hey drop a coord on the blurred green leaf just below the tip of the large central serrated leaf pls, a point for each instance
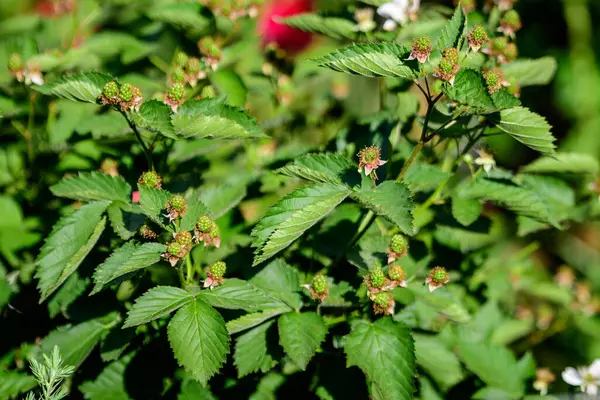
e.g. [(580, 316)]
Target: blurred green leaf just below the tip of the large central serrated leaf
[(280, 281)]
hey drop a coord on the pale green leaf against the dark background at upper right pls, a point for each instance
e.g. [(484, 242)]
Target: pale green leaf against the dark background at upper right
[(529, 72)]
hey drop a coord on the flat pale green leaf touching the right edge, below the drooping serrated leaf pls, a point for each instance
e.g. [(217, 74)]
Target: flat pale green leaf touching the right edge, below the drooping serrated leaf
[(577, 163)]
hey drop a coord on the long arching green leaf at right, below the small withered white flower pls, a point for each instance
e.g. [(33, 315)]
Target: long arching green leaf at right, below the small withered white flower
[(518, 199)]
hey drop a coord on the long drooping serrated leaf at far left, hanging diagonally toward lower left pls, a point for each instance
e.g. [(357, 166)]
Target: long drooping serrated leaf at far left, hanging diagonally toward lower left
[(70, 241)]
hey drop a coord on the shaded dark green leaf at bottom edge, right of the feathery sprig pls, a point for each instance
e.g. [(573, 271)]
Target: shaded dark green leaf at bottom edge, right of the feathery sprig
[(110, 383)]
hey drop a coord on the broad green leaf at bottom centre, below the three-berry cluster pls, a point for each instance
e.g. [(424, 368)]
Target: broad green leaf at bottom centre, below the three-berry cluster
[(384, 351)]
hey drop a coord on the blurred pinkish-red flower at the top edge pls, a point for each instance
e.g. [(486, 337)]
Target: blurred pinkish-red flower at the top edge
[(284, 37)]
